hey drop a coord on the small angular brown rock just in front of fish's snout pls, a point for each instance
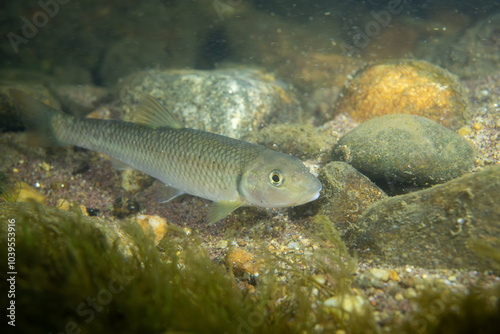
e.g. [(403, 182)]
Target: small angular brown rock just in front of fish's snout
[(346, 194)]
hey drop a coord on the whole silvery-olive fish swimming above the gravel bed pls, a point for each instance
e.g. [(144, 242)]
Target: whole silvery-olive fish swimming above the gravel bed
[(229, 172)]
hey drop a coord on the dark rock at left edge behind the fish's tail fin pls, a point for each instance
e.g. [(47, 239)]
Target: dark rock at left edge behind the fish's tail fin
[(9, 121)]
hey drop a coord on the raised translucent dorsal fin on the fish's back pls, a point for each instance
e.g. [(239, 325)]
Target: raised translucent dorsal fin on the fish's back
[(154, 115)]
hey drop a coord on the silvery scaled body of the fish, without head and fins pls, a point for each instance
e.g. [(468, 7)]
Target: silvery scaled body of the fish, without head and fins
[(187, 159)]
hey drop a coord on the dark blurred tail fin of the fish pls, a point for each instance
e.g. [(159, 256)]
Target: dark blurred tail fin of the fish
[(37, 117)]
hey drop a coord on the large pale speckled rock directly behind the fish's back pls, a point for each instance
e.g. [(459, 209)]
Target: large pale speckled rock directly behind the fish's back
[(229, 102)]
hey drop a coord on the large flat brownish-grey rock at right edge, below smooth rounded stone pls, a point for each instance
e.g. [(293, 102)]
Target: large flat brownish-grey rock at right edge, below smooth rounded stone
[(434, 228)]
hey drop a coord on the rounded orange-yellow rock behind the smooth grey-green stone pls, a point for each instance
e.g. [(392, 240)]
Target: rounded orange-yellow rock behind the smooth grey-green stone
[(405, 87)]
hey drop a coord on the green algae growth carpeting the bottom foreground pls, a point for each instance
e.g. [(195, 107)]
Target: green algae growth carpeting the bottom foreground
[(67, 262)]
